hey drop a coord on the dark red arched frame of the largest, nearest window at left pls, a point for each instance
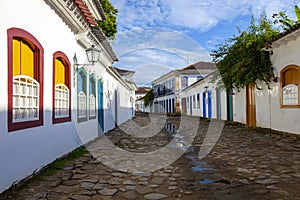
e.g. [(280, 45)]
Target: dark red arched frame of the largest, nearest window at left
[(38, 74)]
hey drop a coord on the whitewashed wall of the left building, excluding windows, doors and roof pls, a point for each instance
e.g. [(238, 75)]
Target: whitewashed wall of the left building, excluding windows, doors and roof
[(24, 151)]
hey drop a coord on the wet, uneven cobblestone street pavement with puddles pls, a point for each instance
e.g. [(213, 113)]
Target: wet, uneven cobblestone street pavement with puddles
[(245, 163)]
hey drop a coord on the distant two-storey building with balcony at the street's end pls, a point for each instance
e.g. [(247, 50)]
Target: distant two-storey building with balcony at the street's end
[(168, 87)]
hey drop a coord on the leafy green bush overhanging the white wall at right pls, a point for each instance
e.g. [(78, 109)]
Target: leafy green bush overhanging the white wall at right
[(241, 60)]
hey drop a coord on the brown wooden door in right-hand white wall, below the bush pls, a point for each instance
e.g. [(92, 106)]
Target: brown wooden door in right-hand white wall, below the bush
[(250, 105)]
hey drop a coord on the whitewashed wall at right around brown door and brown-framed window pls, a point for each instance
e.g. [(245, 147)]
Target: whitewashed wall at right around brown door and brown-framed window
[(268, 111)]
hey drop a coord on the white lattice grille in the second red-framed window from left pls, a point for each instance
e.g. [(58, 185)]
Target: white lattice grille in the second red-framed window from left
[(61, 101)]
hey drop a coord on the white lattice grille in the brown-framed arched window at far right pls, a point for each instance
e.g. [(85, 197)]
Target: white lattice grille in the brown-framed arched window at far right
[(290, 95)]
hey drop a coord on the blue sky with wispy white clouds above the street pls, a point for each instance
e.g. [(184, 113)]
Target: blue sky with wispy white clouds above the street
[(156, 36)]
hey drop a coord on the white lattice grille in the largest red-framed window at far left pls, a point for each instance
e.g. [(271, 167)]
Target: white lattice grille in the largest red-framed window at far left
[(25, 98)]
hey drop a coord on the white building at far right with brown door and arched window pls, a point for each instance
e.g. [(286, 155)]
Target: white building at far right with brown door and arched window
[(276, 105)]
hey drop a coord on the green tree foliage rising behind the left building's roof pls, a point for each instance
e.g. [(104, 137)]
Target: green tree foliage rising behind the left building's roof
[(109, 26)]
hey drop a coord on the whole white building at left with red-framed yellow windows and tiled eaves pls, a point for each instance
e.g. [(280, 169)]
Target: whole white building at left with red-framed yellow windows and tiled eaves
[(53, 99)]
